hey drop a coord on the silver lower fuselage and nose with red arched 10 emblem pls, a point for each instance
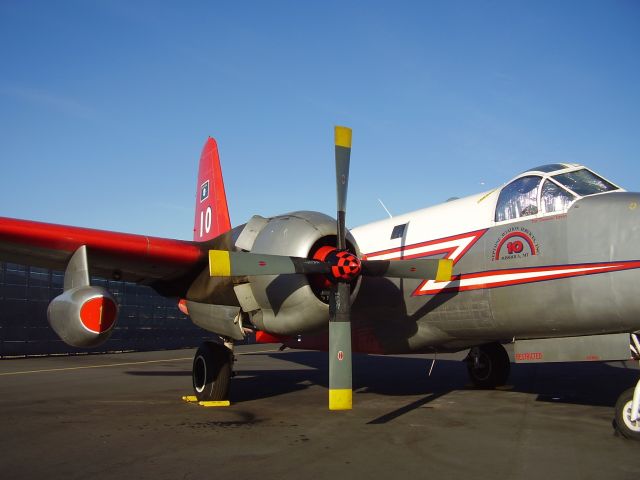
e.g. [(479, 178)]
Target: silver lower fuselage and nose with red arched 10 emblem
[(579, 279)]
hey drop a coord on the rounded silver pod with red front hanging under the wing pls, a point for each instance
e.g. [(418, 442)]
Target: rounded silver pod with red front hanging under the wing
[(83, 316)]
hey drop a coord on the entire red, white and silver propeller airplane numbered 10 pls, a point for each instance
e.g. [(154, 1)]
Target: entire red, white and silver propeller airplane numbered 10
[(548, 262)]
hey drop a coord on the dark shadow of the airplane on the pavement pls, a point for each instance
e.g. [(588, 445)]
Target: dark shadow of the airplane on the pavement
[(595, 384)]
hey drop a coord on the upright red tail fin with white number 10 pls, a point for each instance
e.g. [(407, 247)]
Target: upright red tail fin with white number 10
[(212, 213)]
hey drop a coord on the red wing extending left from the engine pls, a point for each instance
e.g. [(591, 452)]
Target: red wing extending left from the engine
[(112, 255)]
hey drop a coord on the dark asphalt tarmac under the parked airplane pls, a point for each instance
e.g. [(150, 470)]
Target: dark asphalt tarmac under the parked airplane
[(121, 416)]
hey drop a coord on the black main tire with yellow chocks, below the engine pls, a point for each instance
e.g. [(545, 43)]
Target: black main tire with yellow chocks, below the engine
[(211, 372)]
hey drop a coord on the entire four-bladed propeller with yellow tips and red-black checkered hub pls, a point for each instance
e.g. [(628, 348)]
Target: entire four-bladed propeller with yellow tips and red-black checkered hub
[(341, 267)]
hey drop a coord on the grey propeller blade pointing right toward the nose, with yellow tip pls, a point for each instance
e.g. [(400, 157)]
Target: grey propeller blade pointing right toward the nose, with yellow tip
[(421, 269)]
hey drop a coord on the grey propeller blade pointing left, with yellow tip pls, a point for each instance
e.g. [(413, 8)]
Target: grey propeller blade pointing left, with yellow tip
[(223, 263)]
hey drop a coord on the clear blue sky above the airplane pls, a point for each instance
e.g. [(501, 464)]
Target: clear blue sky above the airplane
[(105, 105)]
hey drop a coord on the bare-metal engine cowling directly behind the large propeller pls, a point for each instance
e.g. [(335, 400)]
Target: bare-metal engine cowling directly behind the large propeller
[(289, 304)]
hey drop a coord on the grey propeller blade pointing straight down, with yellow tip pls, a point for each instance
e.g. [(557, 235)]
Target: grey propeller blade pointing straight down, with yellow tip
[(340, 390)]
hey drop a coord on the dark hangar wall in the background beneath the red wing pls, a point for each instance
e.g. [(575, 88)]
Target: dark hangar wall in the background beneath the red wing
[(146, 321)]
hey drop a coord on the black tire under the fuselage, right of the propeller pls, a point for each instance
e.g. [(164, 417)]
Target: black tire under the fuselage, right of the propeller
[(493, 366)]
